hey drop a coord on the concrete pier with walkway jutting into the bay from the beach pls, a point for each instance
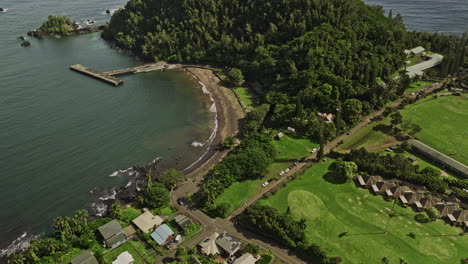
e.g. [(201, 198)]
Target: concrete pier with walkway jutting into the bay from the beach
[(109, 76)]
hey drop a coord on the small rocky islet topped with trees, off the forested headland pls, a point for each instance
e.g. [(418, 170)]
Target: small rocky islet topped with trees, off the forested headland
[(61, 26)]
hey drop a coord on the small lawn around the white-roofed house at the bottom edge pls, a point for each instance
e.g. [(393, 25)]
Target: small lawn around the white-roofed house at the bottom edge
[(136, 249)]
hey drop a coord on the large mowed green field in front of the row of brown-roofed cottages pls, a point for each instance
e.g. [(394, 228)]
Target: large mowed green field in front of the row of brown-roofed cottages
[(331, 209)]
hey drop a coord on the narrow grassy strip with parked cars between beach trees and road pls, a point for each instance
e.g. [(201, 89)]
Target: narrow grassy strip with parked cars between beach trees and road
[(288, 150)]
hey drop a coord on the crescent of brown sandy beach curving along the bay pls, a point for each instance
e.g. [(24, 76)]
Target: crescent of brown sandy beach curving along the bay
[(229, 112)]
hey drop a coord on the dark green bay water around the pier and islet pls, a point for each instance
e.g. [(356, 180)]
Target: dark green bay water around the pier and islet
[(63, 134)]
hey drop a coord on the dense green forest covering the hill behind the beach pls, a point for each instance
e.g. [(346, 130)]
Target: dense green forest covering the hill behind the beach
[(324, 55)]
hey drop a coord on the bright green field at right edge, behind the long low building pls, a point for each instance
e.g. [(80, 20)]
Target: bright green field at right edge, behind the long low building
[(443, 122)]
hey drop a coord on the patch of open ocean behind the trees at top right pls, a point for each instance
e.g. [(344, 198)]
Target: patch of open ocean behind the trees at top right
[(444, 16)]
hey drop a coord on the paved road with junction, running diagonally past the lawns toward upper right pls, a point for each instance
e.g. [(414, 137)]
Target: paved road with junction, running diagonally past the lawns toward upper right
[(211, 225)]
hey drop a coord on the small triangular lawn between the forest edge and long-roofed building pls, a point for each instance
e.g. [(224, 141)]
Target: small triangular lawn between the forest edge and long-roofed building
[(367, 137)]
